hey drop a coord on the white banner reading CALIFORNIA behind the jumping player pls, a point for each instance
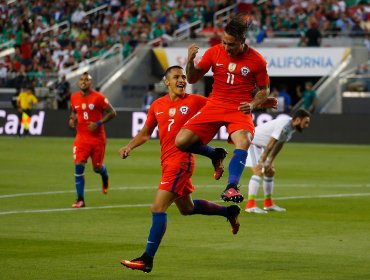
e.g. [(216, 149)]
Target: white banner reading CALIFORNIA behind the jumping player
[(283, 62)]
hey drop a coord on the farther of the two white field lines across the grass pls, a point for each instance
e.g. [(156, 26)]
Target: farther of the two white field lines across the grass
[(198, 187)]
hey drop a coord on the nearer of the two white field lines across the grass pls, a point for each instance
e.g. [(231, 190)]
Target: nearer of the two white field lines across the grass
[(147, 205)]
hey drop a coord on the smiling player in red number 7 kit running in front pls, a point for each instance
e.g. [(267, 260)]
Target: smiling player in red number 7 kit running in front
[(169, 113)]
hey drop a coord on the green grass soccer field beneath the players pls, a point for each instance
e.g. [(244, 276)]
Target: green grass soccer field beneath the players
[(323, 235)]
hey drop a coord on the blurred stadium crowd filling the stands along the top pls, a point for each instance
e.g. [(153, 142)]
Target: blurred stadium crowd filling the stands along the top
[(95, 26)]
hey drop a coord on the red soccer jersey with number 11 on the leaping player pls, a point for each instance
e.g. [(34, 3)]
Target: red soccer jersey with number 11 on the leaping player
[(235, 78)]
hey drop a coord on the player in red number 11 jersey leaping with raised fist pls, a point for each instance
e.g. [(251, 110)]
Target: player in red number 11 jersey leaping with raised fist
[(238, 70)]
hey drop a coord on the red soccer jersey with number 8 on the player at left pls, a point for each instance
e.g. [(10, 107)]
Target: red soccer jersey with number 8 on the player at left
[(89, 108)]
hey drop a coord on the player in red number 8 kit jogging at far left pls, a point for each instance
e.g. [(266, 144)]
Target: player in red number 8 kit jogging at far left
[(90, 109)]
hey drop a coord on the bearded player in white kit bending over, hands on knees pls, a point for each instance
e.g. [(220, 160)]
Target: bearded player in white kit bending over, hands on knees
[(268, 140)]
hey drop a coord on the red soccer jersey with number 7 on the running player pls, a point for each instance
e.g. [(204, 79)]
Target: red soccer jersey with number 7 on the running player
[(170, 116)]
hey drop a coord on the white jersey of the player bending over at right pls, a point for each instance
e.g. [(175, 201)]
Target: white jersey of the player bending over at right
[(281, 129)]
